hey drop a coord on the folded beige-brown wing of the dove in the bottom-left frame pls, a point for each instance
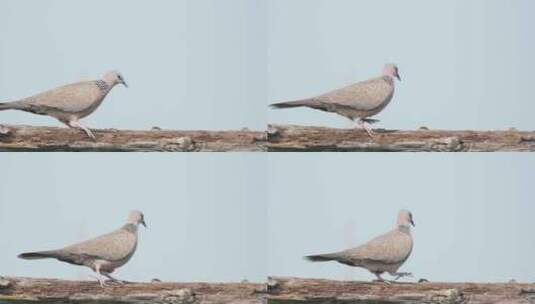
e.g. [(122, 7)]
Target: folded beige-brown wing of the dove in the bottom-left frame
[(114, 246)]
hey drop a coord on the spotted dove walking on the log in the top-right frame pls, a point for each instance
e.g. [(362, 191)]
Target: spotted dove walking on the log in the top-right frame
[(356, 102)]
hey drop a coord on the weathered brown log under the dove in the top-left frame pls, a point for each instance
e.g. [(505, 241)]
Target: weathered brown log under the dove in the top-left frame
[(26, 138)]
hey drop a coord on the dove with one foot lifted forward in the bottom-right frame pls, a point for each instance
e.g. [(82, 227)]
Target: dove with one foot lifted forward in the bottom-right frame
[(386, 253)]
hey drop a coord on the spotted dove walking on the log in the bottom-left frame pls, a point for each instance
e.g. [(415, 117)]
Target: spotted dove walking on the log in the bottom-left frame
[(102, 254)]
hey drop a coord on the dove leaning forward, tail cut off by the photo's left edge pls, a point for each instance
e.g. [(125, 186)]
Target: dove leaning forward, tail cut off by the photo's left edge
[(70, 103)]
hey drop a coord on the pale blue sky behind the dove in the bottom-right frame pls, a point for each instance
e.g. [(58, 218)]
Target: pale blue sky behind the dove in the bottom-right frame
[(473, 213)]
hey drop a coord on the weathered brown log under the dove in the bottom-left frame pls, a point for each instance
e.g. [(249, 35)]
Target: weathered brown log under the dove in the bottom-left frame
[(21, 290)]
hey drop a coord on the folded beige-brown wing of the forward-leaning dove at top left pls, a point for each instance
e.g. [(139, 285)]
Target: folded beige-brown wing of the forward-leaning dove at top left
[(71, 98)]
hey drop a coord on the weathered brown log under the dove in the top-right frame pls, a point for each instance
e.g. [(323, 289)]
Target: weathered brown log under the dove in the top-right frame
[(315, 139)]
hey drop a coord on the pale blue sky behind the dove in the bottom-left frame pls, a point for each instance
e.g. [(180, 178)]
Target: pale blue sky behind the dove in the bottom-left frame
[(206, 214)]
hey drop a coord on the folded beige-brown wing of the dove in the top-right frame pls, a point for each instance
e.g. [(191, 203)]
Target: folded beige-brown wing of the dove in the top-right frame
[(363, 96)]
